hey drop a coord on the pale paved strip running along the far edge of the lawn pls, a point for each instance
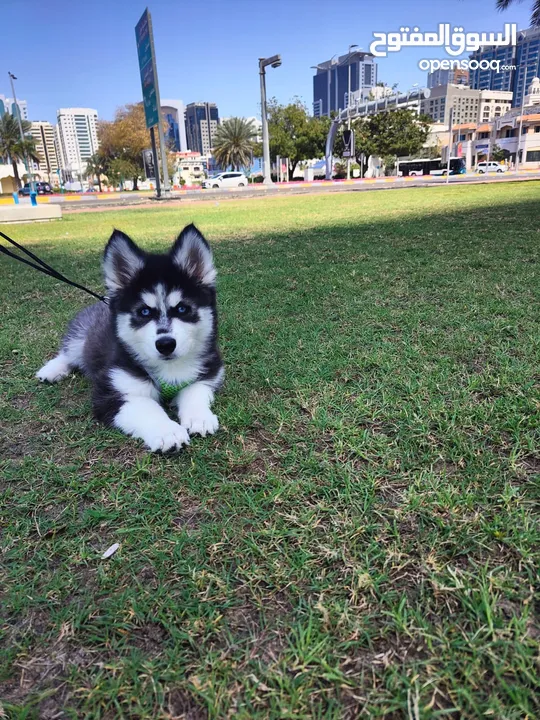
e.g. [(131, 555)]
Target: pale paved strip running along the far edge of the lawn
[(258, 190)]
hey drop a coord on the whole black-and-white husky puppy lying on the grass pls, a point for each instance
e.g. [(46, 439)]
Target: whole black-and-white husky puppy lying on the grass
[(160, 326)]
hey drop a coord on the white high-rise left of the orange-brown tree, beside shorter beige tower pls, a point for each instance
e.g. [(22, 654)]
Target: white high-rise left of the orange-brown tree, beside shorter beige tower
[(76, 138)]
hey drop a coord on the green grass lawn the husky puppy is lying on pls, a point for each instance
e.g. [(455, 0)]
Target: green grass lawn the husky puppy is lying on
[(361, 536)]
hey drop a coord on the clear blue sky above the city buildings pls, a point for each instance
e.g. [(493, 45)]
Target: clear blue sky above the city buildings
[(83, 54)]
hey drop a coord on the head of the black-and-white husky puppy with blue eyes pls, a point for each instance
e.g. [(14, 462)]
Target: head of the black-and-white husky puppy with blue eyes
[(164, 304)]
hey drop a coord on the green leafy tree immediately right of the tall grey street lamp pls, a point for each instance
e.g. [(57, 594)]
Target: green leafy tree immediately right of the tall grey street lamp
[(294, 134)]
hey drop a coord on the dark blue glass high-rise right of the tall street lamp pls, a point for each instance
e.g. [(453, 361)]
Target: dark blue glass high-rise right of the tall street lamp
[(331, 81)]
